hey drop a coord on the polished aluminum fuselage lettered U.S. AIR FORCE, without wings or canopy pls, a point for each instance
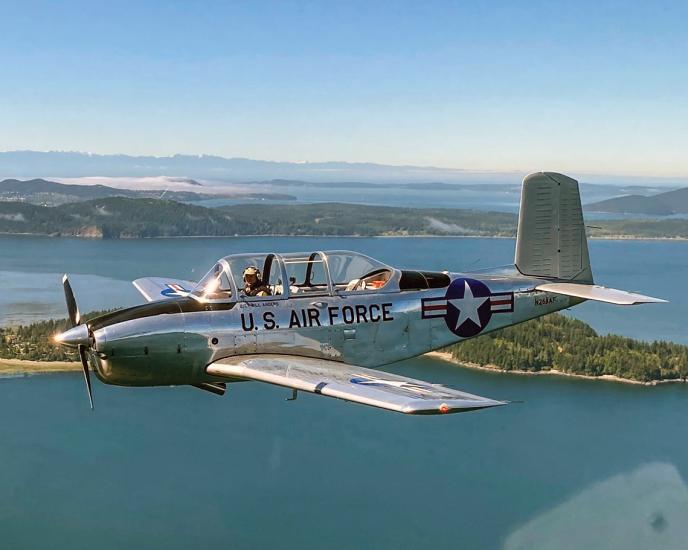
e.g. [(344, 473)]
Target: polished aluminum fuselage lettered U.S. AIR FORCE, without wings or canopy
[(171, 342)]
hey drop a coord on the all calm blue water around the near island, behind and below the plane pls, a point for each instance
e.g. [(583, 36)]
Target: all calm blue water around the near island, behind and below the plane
[(579, 464)]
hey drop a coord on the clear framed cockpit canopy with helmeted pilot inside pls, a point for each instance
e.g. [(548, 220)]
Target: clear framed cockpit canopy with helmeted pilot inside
[(249, 277)]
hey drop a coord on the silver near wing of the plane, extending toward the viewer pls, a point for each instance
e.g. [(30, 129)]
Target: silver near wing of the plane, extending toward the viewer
[(350, 383)]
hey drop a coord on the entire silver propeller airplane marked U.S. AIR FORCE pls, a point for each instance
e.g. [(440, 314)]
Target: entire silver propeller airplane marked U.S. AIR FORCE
[(324, 321)]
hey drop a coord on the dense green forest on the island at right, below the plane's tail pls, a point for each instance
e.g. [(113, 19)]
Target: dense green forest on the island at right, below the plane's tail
[(571, 346)]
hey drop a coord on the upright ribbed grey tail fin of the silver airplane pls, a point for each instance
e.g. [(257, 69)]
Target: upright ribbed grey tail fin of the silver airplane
[(551, 240)]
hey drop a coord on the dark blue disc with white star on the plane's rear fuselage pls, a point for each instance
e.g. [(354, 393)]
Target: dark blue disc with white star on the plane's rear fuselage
[(468, 307)]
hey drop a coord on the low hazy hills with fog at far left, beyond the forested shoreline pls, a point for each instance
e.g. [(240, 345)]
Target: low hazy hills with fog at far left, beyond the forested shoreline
[(52, 193)]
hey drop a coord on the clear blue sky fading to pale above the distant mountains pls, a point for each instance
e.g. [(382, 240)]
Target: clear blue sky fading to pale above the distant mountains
[(589, 87)]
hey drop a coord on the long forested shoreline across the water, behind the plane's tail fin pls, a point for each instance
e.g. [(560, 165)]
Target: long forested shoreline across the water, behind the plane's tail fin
[(126, 217)]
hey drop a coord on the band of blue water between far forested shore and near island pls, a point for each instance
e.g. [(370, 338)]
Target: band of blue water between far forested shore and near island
[(102, 271)]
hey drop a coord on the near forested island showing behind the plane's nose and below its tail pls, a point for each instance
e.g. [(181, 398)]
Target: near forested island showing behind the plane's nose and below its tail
[(554, 343)]
